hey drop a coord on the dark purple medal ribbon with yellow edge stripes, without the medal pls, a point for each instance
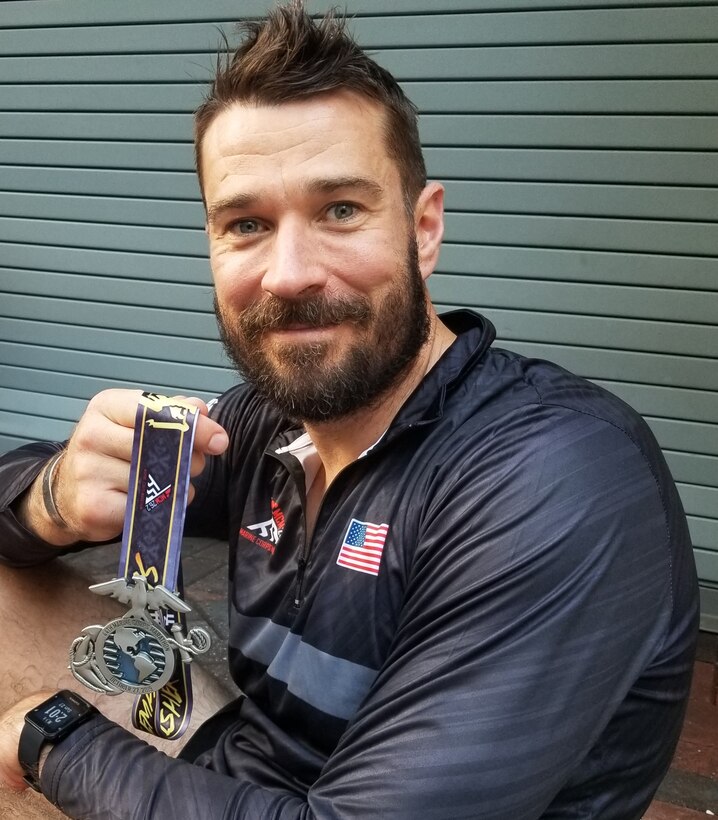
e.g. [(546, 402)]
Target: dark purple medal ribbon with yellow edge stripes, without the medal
[(152, 539)]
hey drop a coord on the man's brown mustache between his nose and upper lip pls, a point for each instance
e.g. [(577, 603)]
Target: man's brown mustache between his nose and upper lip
[(277, 313)]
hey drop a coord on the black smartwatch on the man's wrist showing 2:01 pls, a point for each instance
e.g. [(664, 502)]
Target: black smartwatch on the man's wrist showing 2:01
[(48, 724)]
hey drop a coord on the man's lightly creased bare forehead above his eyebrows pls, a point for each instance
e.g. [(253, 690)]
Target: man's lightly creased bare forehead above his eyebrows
[(341, 134)]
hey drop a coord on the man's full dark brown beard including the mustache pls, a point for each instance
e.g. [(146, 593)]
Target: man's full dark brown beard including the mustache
[(307, 382)]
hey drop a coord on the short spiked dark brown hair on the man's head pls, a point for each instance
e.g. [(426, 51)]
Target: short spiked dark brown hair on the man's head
[(287, 56)]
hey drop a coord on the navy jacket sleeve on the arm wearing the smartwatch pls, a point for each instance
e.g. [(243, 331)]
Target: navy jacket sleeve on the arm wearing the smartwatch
[(539, 592)]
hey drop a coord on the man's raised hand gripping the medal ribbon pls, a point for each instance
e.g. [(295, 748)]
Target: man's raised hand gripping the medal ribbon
[(91, 480)]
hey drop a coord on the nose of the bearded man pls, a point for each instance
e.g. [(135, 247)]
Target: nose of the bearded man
[(295, 266)]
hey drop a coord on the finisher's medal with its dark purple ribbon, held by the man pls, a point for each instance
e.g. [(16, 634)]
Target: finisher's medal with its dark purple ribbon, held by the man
[(147, 651)]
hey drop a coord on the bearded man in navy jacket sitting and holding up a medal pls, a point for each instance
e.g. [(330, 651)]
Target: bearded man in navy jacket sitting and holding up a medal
[(521, 643)]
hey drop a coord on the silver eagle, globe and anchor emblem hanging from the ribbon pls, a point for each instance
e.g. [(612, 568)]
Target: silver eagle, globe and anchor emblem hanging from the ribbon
[(134, 653)]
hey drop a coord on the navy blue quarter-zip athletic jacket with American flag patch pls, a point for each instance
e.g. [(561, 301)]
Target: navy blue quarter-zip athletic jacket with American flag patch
[(494, 617)]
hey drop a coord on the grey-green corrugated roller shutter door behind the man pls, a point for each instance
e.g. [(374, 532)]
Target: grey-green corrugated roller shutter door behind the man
[(579, 147)]
